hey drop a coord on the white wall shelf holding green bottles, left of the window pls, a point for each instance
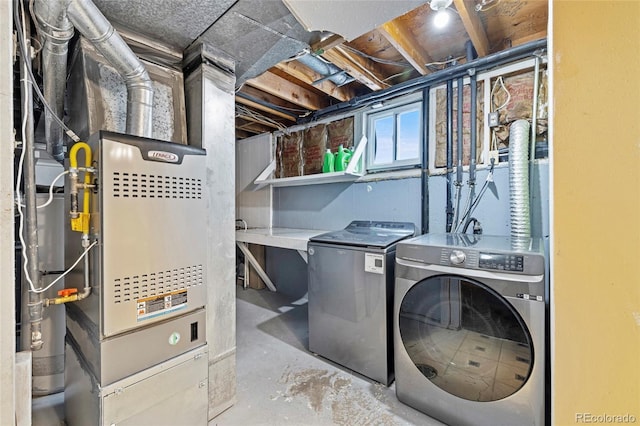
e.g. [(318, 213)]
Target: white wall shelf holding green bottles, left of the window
[(266, 177)]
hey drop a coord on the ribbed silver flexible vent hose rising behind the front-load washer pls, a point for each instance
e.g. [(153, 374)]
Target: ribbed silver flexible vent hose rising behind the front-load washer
[(519, 179)]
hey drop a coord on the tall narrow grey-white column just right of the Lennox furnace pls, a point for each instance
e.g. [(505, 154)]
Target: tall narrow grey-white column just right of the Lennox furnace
[(210, 120)]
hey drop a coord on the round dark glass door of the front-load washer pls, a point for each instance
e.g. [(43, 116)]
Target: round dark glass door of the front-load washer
[(465, 338)]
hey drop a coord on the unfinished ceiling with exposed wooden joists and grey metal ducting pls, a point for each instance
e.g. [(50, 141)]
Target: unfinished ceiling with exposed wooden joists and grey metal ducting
[(276, 86)]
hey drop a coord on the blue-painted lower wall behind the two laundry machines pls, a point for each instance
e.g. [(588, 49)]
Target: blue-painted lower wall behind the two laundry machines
[(333, 206)]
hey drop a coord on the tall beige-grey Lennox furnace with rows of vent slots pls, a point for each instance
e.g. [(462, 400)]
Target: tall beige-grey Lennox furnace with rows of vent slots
[(136, 345)]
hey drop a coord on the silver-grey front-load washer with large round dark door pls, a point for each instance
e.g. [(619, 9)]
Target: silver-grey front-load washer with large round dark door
[(469, 328)]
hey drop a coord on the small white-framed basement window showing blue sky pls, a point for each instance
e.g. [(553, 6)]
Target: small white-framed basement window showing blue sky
[(394, 136)]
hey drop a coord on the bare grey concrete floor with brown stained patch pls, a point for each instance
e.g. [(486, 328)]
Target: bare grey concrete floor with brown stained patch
[(279, 382)]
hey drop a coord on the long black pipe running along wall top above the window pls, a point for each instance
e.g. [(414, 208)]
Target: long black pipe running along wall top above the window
[(506, 56)]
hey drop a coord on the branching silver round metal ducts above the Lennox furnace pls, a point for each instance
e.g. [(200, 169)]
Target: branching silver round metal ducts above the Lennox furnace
[(55, 17)]
